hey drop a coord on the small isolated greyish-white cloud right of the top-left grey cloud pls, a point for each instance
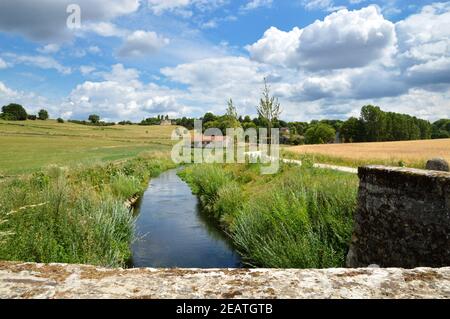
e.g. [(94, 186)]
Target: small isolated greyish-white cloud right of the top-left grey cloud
[(141, 43)]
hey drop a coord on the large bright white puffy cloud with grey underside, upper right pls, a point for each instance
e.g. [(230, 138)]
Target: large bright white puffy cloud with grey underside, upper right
[(344, 39)]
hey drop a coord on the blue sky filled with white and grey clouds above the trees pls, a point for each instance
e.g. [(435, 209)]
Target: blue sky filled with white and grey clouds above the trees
[(133, 59)]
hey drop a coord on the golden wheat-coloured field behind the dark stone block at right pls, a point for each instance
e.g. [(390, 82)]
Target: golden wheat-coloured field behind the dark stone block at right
[(409, 153)]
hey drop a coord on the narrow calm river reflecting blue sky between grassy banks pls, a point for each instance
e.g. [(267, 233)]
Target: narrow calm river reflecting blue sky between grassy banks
[(172, 231)]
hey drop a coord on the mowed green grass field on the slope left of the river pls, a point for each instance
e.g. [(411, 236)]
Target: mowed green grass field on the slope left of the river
[(31, 145)]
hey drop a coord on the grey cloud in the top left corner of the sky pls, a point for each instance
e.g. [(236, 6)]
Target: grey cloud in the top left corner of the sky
[(45, 20)]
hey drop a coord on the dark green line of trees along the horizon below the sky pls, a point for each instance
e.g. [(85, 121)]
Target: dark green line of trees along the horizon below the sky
[(373, 125)]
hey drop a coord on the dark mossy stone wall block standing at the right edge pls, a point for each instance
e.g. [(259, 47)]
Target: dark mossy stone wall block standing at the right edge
[(403, 218)]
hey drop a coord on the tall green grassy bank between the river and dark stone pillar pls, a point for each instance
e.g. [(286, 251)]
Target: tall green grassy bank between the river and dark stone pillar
[(298, 218)]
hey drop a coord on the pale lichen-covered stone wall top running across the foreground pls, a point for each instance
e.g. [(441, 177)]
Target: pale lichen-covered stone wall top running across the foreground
[(22, 280)]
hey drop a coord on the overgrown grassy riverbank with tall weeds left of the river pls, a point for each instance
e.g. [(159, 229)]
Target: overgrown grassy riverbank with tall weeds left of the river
[(74, 215)]
